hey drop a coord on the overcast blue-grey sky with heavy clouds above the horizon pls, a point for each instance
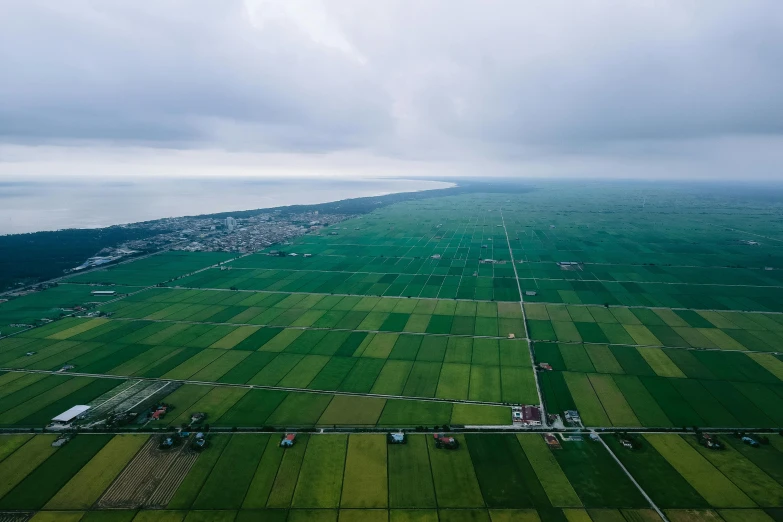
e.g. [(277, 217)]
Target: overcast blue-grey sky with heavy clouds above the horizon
[(589, 88)]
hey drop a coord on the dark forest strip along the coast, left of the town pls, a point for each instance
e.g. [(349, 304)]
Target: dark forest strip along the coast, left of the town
[(38, 256)]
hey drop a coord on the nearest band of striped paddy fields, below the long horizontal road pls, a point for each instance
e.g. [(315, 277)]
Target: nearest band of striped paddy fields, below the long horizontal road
[(359, 477)]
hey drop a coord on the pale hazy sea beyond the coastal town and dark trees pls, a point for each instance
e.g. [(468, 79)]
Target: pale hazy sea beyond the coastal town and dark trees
[(32, 206)]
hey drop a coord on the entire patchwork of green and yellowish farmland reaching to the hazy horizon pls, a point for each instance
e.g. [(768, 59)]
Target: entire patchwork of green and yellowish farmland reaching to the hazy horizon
[(644, 336)]
